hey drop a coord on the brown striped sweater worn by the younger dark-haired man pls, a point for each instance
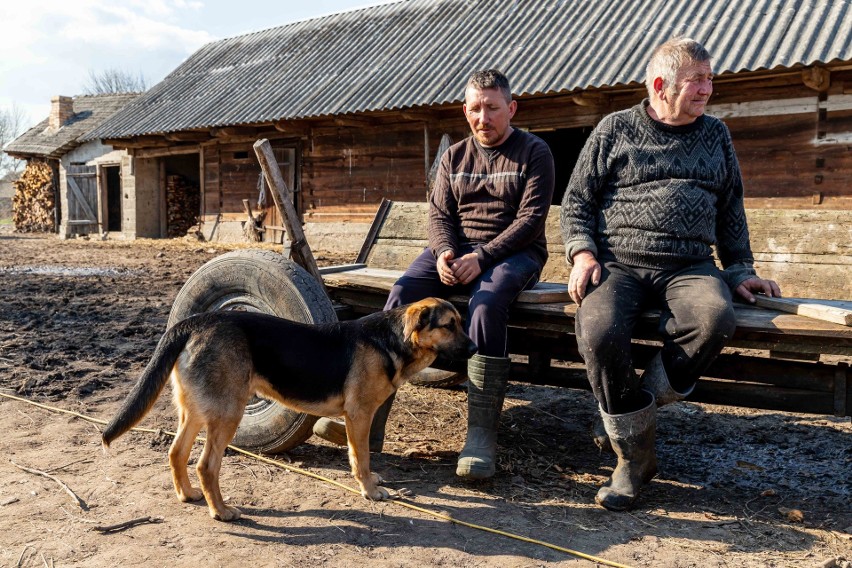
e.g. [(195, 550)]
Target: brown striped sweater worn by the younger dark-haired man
[(494, 200)]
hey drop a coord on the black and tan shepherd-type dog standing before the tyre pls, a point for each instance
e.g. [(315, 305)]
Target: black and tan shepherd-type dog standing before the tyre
[(218, 360)]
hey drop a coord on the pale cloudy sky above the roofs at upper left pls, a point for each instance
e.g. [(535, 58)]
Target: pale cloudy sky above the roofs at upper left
[(50, 47)]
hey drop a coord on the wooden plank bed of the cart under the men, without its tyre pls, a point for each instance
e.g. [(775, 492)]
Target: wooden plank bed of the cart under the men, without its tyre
[(776, 360)]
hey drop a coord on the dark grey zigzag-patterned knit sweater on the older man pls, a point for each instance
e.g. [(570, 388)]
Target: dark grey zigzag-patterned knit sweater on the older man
[(651, 195)]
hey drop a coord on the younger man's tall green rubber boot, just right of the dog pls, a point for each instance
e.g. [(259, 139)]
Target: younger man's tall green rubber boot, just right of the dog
[(487, 378)]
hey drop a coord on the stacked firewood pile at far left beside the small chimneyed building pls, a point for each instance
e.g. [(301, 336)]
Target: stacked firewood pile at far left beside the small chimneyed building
[(34, 202)]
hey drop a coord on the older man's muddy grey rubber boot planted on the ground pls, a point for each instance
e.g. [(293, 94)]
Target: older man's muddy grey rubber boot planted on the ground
[(632, 436)]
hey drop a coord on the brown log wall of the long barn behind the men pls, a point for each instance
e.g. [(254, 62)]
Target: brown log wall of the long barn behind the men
[(794, 145)]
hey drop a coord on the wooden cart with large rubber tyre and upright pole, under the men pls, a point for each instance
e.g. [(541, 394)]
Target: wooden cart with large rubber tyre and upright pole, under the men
[(776, 360)]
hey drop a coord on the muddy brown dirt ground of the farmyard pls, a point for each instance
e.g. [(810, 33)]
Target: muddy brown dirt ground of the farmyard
[(79, 320)]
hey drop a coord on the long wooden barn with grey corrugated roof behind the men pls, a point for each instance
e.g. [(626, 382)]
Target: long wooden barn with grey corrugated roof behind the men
[(356, 106)]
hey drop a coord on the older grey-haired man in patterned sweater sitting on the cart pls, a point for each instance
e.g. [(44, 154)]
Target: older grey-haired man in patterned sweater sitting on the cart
[(656, 186)]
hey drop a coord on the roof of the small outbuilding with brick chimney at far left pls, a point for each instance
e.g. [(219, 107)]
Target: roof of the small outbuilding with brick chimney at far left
[(89, 112)]
